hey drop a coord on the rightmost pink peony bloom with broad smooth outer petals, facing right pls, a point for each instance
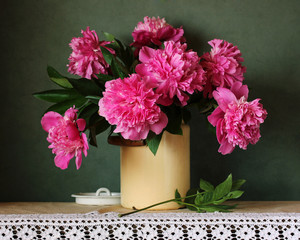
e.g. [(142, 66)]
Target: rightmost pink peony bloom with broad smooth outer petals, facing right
[(237, 120)]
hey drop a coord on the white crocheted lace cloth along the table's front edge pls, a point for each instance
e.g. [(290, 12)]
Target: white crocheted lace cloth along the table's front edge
[(160, 226)]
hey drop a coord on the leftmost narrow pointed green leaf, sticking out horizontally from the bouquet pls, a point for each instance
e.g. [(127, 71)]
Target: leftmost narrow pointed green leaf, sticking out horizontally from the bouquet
[(57, 95)]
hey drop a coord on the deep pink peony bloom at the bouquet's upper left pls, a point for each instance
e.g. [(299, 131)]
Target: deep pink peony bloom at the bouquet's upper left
[(86, 60)]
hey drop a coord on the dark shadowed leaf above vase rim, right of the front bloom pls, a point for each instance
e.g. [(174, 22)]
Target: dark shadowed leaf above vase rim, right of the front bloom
[(175, 119)]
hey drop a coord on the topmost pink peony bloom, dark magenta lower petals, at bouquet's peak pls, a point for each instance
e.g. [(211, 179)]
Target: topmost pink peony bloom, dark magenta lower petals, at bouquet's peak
[(155, 31)]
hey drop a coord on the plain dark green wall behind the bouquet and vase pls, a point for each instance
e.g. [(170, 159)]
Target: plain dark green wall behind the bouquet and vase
[(37, 33)]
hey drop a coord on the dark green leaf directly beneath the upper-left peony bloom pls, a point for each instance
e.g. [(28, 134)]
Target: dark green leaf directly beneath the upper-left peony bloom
[(86, 87)]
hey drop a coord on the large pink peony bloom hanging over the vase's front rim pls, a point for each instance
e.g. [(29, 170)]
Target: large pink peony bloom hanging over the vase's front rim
[(131, 105)]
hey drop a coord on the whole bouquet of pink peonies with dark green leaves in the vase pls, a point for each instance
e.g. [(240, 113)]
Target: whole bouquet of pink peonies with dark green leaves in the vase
[(140, 90)]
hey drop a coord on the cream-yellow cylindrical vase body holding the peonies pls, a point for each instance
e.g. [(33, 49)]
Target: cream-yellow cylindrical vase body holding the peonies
[(147, 179)]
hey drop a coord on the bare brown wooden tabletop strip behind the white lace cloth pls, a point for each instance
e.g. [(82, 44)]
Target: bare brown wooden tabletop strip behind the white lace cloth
[(69, 208)]
